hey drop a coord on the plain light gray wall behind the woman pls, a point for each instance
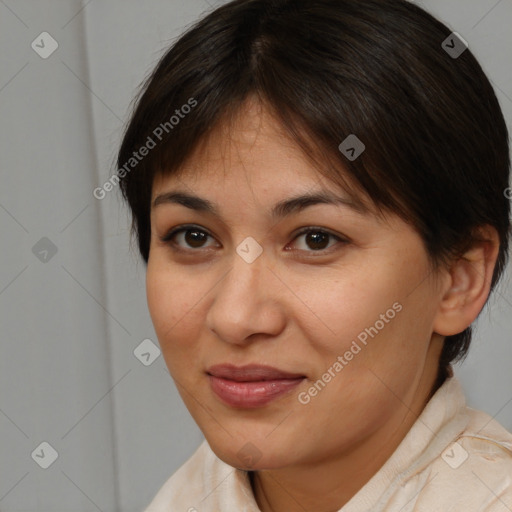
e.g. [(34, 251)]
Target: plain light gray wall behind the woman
[(69, 326)]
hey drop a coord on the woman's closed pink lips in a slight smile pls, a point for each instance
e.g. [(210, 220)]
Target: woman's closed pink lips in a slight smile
[(252, 385)]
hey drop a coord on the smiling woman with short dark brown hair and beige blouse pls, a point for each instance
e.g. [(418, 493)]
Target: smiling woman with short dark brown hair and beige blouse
[(318, 189)]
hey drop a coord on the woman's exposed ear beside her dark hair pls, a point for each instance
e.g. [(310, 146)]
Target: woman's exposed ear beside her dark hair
[(467, 284)]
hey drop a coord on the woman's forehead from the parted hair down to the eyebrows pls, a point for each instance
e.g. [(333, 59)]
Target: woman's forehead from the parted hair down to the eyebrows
[(249, 154)]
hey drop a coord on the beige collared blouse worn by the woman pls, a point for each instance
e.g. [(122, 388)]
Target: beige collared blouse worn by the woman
[(453, 458)]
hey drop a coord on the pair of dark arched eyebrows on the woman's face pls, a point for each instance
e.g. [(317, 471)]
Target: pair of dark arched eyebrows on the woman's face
[(281, 209)]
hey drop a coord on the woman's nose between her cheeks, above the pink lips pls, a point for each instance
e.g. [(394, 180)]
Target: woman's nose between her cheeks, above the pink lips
[(248, 303)]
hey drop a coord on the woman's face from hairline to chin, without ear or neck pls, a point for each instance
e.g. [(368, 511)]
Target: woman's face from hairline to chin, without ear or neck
[(344, 311)]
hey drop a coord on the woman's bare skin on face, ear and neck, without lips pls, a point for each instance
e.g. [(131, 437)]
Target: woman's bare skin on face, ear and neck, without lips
[(298, 308)]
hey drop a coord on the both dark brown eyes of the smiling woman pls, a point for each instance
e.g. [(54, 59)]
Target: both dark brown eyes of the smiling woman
[(195, 237)]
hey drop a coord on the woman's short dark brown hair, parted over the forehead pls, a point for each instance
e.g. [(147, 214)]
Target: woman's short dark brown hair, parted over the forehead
[(437, 150)]
